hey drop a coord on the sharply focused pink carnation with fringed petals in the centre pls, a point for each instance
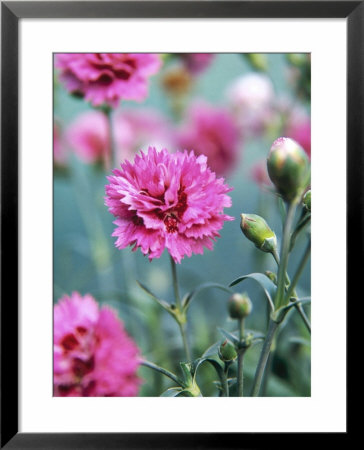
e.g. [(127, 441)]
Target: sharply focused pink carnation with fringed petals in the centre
[(165, 200)]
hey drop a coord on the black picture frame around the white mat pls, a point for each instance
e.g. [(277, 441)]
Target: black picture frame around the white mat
[(11, 12)]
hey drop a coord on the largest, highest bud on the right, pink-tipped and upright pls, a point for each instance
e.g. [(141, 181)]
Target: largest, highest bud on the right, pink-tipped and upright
[(288, 167)]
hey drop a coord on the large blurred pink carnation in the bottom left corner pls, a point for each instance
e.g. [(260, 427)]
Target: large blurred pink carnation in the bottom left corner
[(93, 355)]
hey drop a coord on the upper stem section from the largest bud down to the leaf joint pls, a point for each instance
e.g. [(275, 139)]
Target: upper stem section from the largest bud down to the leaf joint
[(282, 268)]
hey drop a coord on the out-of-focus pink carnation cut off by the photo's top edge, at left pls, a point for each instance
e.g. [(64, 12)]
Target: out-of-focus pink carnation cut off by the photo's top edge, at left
[(107, 78)]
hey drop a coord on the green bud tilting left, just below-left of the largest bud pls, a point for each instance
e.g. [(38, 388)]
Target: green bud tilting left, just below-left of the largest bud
[(257, 230)]
